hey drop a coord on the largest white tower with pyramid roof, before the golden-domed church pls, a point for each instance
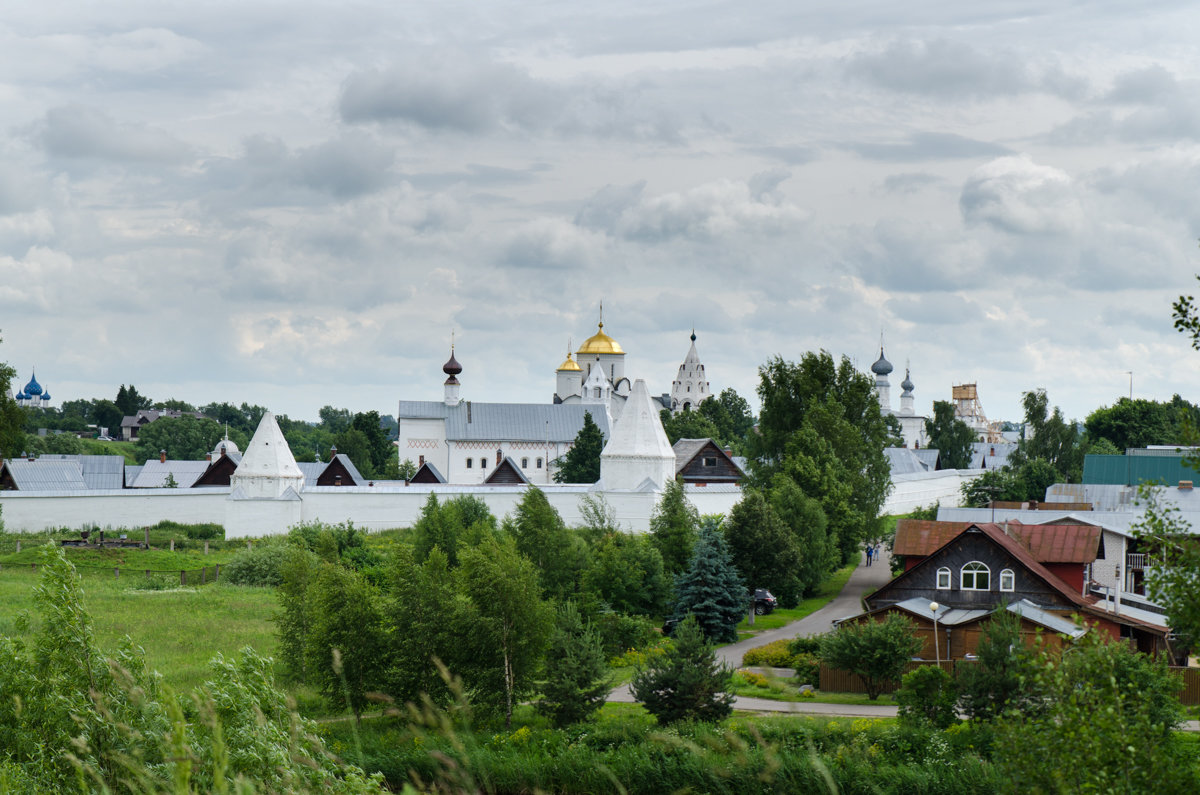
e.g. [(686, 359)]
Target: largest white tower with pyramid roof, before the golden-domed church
[(638, 455)]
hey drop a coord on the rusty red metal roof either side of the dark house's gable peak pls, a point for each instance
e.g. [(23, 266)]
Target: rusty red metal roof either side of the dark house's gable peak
[(1046, 543)]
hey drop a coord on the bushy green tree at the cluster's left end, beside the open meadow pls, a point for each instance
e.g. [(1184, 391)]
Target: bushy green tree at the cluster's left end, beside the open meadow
[(347, 644)]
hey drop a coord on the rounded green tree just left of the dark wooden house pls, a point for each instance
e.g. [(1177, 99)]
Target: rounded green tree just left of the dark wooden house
[(875, 651)]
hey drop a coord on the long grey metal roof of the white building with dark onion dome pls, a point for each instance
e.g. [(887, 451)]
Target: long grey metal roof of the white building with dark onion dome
[(506, 422)]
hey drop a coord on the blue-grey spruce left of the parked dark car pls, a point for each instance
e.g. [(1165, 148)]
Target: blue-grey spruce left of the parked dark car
[(712, 590)]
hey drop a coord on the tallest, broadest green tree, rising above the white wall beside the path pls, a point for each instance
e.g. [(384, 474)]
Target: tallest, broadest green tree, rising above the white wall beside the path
[(821, 426)]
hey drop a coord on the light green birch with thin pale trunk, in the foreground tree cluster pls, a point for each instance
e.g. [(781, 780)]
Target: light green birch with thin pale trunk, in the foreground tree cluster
[(509, 625)]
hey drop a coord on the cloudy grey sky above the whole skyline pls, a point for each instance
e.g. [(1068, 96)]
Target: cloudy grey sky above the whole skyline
[(295, 205)]
